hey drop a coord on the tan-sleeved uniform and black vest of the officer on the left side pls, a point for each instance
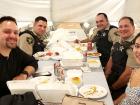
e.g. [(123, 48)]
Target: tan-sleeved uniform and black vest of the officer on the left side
[(31, 43)]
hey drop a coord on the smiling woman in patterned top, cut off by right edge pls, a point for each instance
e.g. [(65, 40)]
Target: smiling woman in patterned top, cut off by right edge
[(131, 96)]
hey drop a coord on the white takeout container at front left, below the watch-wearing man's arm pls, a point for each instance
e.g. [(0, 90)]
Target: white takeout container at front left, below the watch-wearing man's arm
[(22, 86)]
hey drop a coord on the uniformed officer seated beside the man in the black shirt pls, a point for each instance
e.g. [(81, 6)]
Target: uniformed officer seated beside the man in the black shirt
[(32, 41)]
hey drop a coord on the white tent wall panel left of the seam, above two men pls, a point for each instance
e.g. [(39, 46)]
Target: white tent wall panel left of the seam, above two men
[(25, 10)]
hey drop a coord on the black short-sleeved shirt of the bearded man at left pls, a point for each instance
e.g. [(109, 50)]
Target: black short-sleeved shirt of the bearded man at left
[(12, 66)]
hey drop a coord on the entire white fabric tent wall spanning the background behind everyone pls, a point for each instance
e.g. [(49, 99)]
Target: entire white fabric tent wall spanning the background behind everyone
[(70, 10)]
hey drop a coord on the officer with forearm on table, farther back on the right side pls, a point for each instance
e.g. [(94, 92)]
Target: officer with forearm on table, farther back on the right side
[(104, 36)]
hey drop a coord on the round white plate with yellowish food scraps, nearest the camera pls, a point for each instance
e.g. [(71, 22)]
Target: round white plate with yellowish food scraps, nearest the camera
[(93, 91)]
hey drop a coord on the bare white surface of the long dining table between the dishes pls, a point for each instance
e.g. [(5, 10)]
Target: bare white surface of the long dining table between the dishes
[(95, 76)]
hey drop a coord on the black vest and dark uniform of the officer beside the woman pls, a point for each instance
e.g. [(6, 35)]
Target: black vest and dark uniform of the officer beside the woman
[(119, 53)]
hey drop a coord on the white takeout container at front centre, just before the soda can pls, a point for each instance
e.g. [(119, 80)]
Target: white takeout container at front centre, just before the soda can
[(55, 92)]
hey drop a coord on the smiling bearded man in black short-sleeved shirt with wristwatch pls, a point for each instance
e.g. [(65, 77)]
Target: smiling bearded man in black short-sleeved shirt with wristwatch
[(14, 63)]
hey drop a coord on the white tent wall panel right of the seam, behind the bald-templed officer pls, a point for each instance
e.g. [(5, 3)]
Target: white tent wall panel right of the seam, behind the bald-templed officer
[(83, 10)]
